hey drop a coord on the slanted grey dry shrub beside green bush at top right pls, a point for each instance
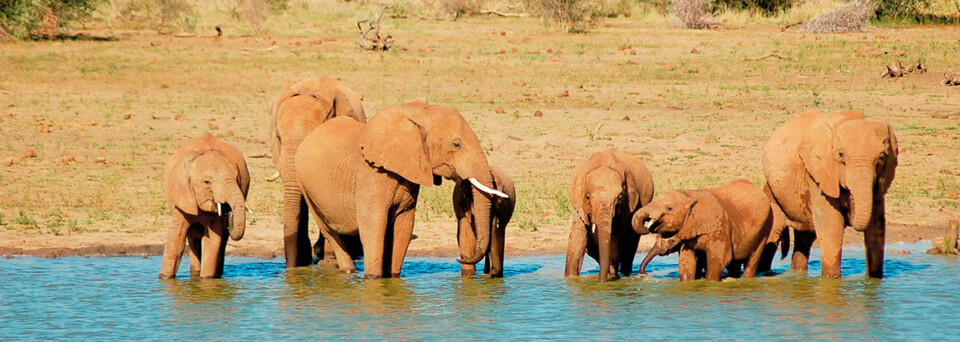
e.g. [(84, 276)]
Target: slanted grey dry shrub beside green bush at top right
[(849, 17)]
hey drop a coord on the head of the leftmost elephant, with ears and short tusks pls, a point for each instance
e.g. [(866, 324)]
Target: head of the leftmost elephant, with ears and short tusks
[(206, 179)]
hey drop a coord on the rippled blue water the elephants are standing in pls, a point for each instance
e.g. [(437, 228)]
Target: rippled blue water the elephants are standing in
[(120, 298)]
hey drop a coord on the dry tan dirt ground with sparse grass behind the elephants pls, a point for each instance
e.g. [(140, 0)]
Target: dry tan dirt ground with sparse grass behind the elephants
[(86, 126)]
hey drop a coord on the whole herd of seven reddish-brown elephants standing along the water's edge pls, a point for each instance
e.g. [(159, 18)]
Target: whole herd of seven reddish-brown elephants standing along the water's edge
[(360, 180)]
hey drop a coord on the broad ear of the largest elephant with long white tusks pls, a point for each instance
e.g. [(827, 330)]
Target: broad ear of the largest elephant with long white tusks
[(394, 142)]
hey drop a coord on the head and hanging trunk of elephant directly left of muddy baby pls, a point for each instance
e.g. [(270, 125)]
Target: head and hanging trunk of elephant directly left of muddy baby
[(602, 189)]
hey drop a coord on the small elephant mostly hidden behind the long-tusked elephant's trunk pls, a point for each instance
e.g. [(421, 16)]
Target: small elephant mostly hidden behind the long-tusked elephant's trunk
[(500, 214)]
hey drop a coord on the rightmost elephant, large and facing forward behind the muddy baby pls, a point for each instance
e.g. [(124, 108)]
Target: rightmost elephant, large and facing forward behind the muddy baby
[(826, 171)]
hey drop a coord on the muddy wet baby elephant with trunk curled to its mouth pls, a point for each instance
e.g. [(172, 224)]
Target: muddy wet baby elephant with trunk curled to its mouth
[(726, 226)]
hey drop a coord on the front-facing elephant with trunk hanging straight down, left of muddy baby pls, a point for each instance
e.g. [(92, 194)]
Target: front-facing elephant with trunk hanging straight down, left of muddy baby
[(605, 190)]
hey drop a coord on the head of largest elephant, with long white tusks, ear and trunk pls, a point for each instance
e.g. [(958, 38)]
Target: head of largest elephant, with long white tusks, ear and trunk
[(424, 143)]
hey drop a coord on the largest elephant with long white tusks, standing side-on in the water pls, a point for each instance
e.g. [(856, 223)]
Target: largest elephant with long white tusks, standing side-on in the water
[(365, 179)]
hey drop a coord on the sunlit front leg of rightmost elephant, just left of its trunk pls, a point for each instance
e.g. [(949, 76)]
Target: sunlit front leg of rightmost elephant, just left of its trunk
[(829, 224)]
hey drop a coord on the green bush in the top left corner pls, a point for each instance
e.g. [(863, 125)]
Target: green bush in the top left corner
[(21, 19)]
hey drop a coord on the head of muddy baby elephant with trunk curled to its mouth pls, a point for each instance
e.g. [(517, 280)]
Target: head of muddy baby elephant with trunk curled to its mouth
[(683, 215)]
